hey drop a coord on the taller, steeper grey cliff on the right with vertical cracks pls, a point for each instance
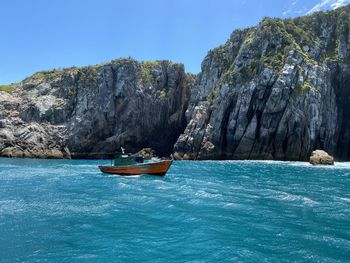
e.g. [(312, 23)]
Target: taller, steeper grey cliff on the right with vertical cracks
[(274, 91)]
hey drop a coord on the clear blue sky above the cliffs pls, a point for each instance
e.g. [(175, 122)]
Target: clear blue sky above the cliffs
[(43, 35)]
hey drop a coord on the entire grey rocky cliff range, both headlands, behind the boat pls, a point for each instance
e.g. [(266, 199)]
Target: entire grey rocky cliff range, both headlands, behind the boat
[(278, 90)]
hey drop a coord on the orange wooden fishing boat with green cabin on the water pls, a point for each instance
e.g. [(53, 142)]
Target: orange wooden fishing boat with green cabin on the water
[(127, 165)]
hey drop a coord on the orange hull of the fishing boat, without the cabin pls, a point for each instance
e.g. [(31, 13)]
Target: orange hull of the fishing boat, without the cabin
[(156, 168)]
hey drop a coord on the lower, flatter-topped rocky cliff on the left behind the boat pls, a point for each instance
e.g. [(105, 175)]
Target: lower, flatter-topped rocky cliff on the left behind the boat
[(93, 111)]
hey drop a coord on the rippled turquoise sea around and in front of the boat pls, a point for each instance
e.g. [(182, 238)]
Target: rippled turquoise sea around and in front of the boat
[(201, 211)]
